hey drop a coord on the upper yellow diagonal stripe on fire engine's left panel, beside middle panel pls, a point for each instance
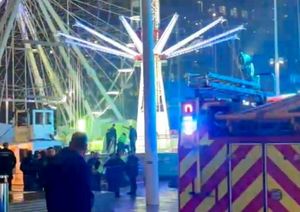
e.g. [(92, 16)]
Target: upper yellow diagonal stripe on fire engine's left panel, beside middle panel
[(214, 165)]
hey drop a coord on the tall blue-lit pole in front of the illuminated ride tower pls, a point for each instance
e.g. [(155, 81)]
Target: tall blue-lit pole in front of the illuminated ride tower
[(151, 157)]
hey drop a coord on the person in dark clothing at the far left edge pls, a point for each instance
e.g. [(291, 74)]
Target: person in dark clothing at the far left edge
[(7, 163)]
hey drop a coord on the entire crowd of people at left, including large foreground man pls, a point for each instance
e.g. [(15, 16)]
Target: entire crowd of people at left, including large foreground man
[(68, 176)]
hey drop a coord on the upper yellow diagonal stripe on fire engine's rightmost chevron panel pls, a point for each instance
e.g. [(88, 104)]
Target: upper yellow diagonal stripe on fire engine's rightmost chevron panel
[(284, 165)]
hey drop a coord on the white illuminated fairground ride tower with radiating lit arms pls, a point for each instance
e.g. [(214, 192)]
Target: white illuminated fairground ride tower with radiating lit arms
[(190, 44)]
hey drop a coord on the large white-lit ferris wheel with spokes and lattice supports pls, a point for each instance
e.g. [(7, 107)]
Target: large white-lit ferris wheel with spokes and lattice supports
[(39, 70)]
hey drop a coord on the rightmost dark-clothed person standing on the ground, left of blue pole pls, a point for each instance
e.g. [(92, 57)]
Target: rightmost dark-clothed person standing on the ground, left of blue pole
[(132, 172)]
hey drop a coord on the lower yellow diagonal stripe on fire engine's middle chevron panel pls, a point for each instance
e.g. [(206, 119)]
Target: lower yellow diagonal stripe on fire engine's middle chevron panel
[(248, 195)]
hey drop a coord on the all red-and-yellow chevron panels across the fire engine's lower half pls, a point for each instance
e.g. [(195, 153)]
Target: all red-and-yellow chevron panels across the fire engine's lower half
[(283, 177)]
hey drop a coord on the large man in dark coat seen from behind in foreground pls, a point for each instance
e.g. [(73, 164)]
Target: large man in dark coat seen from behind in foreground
[(67, 184)]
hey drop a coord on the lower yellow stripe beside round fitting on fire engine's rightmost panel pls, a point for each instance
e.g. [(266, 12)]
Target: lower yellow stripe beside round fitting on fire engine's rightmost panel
[(287, 201)]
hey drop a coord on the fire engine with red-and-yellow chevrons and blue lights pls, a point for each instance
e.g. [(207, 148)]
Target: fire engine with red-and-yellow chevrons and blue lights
[(238, 151)]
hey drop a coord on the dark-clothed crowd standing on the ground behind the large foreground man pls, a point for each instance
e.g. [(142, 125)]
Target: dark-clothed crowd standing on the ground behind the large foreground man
[(118, 170)]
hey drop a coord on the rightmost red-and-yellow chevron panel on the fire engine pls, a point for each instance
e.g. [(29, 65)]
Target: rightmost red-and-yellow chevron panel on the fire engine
[(284, 175)]
